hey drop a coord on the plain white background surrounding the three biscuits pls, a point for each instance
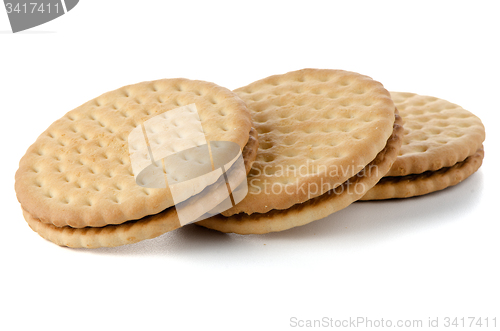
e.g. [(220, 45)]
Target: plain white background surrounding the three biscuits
[(433, 256)]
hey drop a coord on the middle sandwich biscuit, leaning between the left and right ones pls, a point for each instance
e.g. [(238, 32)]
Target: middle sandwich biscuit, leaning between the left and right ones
[(325, 138)]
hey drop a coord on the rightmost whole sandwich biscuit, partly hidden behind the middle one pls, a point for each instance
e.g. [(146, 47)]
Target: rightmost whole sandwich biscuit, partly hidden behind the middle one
[(442, 146)]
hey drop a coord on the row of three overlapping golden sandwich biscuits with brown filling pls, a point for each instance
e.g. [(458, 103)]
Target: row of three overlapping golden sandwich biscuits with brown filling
[(313, 141)]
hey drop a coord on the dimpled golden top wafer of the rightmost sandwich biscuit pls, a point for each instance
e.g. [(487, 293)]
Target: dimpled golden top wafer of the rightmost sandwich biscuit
[(438, 134)]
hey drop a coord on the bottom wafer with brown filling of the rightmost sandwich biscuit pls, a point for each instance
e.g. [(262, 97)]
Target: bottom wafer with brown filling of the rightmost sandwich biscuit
[(427, 182)]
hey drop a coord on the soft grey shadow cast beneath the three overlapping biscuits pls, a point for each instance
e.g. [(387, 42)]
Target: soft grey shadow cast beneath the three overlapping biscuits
[(369, 222)]
